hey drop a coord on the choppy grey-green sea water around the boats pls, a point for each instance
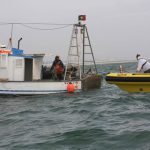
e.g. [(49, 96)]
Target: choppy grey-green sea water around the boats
[(102, 119)]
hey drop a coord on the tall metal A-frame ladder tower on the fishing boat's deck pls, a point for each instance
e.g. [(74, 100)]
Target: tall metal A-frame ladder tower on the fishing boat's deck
[(80, 45)]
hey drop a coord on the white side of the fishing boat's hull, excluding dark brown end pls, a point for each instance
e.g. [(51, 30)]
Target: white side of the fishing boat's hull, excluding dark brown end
[(36, 87)]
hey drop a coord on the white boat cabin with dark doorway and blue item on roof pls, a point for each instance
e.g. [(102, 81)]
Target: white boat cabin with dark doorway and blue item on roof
[(17, 66)]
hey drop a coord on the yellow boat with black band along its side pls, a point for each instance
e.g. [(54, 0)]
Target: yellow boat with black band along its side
[(130, 82)]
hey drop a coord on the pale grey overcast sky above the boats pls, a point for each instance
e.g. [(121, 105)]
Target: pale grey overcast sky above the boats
[(118, 29)]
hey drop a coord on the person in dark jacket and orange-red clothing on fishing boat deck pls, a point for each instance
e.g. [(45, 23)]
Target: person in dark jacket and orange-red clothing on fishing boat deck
[(57, 68)]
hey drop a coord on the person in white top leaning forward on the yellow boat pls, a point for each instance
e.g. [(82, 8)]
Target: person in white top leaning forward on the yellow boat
[(143, 64)]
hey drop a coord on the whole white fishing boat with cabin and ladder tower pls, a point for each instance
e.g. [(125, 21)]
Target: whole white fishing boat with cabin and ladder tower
[(22, 74)]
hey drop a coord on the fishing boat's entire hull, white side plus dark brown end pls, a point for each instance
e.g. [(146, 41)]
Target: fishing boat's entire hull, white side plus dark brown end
[(47, 86)]
